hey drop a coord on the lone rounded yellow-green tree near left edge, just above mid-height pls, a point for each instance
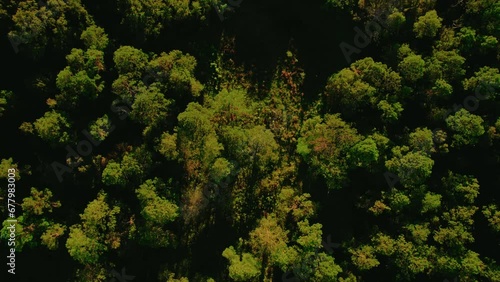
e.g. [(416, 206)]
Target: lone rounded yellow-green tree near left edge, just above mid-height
[(53, 128)]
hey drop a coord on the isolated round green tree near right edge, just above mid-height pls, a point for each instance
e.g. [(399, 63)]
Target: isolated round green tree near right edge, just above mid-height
[(467, 128)]
